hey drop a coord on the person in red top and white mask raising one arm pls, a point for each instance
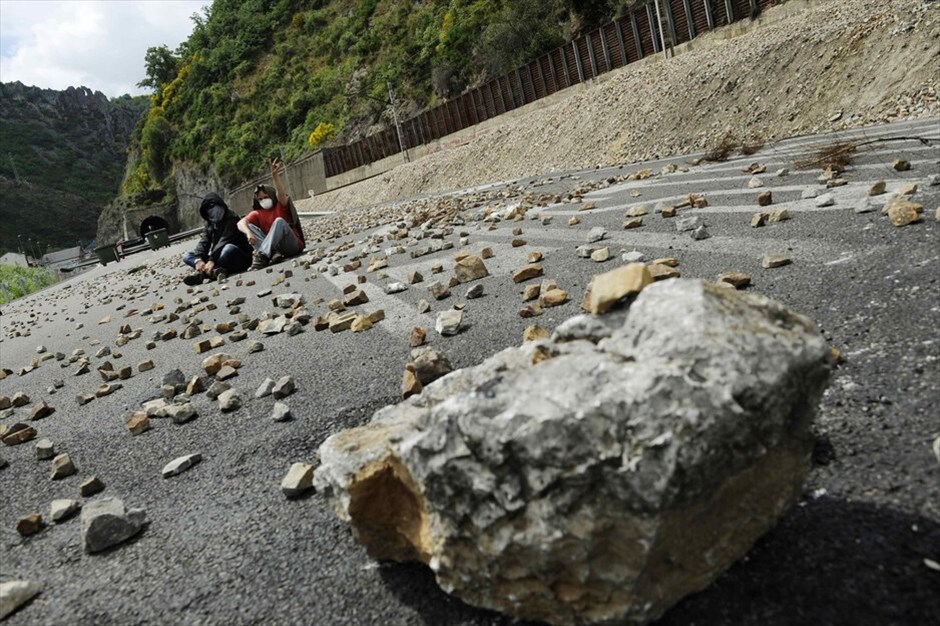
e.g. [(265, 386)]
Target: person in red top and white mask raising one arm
[(273, 227)]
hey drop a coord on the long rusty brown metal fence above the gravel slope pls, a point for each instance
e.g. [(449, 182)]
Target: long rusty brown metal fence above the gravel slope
[(623, 41)]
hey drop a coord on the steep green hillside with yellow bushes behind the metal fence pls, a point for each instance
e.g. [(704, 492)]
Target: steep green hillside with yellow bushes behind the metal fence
[(261, 76)]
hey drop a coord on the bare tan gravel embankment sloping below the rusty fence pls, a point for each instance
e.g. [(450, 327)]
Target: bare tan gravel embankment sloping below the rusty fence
[(860, 61)]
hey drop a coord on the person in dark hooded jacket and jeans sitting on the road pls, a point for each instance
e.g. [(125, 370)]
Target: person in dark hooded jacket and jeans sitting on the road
[(223, 249)]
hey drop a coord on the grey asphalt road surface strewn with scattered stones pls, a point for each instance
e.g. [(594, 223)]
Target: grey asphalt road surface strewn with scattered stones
[(224, 546)]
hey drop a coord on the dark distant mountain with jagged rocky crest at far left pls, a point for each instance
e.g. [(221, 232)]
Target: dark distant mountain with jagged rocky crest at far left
[(69, 142)]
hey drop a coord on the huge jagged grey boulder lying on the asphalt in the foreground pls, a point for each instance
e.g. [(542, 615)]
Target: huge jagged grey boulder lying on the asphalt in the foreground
[(601, 475)]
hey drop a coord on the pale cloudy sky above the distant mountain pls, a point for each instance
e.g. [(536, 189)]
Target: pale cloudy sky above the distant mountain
[(95, 44)]
